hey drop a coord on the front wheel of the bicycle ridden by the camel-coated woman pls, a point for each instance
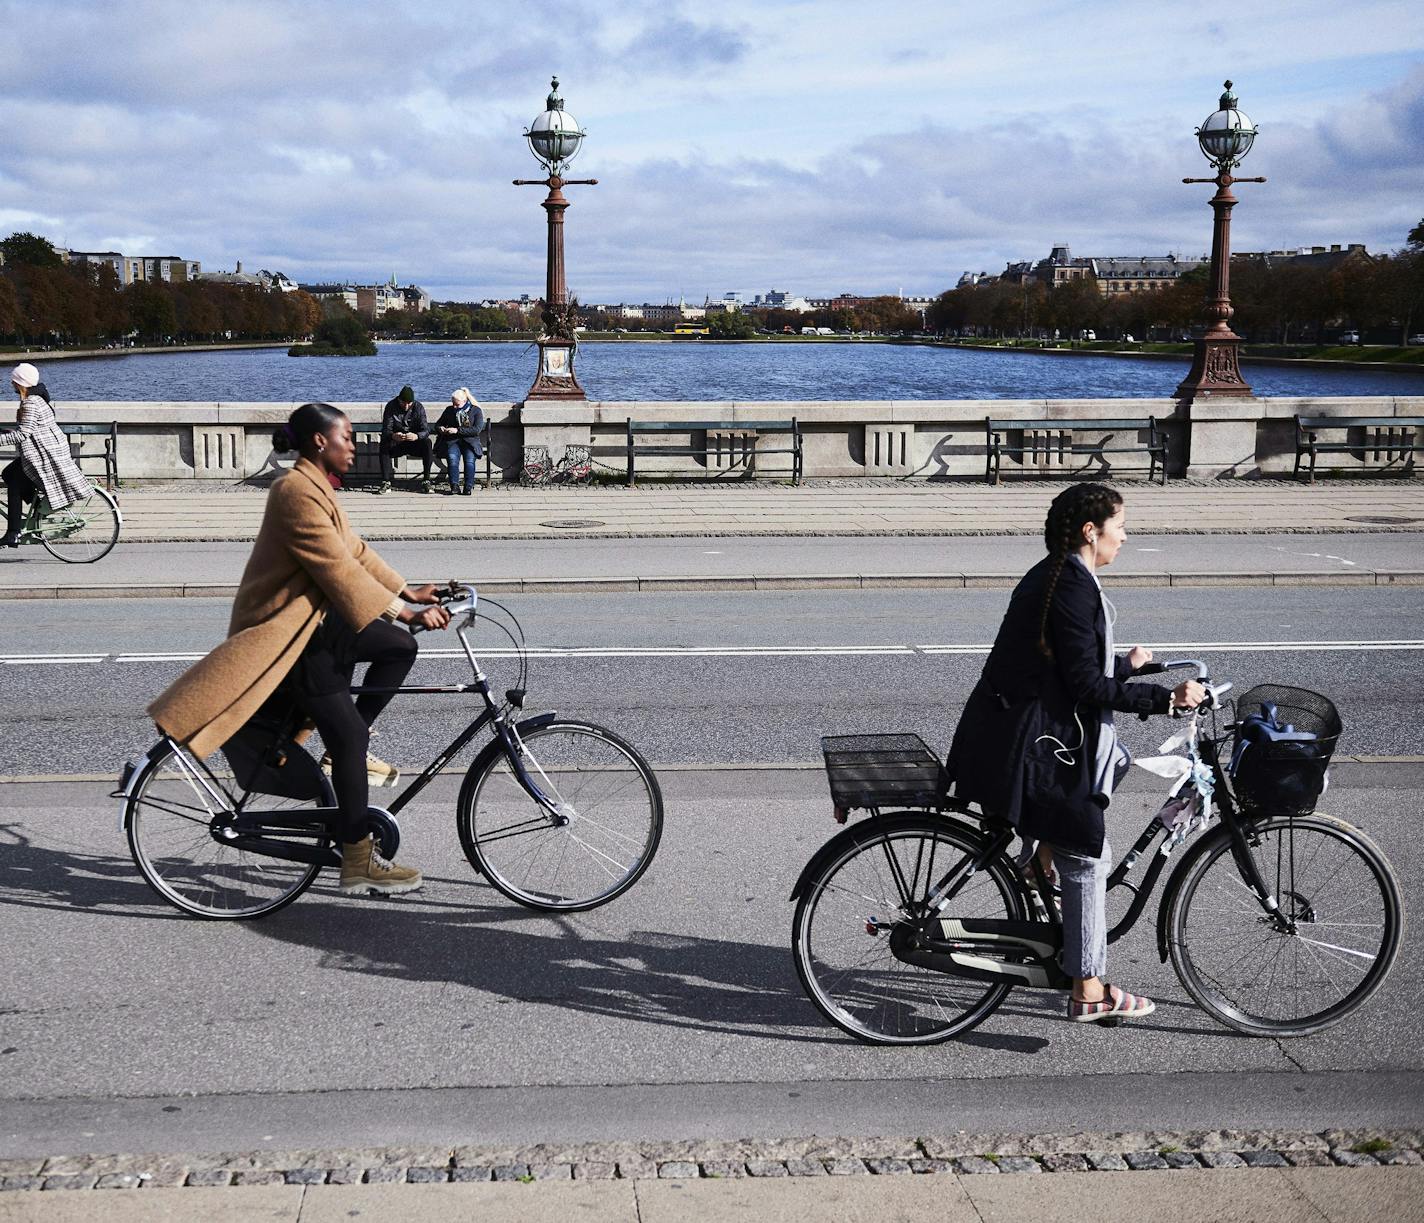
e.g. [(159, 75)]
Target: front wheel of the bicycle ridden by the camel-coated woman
[(596, 844)]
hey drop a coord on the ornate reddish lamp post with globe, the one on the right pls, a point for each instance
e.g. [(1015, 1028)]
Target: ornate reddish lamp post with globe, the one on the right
[(1225, 137)]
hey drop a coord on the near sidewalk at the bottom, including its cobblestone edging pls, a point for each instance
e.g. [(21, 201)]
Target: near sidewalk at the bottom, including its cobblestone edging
[(1203, 1177)]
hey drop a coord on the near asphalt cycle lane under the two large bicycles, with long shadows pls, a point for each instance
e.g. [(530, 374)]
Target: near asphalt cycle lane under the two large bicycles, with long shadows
[(680, 985)]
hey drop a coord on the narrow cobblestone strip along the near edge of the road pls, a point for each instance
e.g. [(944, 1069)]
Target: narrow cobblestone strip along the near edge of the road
[(965, 1155)]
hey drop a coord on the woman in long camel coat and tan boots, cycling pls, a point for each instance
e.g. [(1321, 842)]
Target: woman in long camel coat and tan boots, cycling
[(315, 600)]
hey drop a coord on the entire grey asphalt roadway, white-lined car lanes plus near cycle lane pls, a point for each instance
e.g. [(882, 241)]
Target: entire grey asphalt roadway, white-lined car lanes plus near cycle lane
[(679, 1002)]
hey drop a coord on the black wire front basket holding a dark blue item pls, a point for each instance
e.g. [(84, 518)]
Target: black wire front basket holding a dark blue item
[(1285, 778)]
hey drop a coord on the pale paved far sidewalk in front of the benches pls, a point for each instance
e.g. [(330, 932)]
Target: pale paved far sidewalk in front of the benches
[(862, 508)]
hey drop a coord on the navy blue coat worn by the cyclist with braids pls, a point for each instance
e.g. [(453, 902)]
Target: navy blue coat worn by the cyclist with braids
[(998, 758)]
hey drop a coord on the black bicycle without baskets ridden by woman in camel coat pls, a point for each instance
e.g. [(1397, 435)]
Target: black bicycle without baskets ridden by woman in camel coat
[(557, 814)]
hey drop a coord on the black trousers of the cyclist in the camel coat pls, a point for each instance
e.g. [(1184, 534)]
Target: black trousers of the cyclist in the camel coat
[(320, 687)]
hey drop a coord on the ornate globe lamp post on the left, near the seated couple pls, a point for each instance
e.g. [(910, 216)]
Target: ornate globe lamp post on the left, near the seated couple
[(555, 139)]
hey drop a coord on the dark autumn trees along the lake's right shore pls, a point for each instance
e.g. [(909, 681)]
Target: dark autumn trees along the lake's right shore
[(1277, 301)]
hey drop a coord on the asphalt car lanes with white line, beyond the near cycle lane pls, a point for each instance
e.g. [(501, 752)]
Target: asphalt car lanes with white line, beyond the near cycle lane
[(751, 677)]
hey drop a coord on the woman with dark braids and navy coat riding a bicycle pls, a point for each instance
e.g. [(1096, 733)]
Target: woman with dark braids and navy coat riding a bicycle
[(1037, 744)]
